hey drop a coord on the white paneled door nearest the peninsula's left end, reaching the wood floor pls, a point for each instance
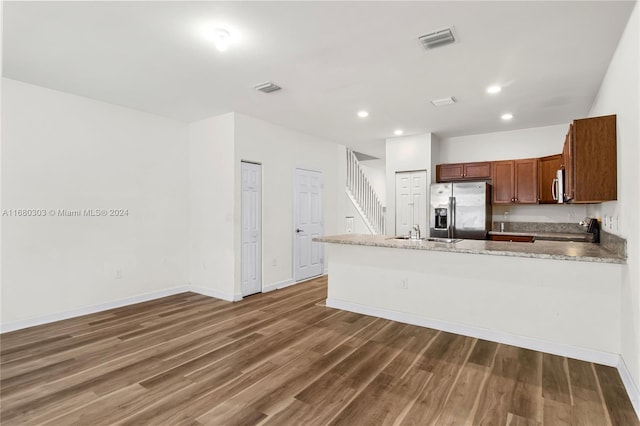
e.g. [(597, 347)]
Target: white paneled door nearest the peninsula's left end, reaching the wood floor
[(308, 224)]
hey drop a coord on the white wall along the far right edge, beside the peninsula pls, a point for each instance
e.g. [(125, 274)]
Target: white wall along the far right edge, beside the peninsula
[(620, 94)]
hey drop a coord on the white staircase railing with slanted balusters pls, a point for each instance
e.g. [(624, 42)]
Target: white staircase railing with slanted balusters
[(363, 196)]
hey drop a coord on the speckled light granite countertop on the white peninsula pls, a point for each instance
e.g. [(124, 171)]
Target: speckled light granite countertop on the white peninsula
[(558, 250)]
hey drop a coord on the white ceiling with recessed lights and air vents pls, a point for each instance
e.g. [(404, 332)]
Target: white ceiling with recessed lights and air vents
[(331, 58)]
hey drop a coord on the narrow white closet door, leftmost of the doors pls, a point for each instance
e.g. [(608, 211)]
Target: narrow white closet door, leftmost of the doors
[(251, 233)]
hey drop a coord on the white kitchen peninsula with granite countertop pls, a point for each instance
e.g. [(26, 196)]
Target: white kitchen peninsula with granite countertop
[(558, 297)]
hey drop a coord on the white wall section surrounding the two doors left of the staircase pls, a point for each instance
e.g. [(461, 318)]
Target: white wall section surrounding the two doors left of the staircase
[(281, 151)]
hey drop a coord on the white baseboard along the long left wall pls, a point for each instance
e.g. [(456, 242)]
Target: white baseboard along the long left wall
[(59, 316)]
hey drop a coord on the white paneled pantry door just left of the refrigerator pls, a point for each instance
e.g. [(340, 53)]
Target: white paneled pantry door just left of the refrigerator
[(411, 202)]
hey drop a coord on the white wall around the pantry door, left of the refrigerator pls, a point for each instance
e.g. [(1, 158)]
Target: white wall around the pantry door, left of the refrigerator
[(405, 154)]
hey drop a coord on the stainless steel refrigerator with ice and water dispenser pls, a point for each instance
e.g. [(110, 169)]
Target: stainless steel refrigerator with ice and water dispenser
[(460, 210)]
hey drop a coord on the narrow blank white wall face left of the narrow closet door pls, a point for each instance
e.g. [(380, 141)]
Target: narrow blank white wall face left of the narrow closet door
[(211, 206)]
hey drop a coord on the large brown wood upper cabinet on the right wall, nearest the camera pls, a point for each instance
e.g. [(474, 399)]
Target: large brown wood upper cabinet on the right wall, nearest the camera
[(590, 160)]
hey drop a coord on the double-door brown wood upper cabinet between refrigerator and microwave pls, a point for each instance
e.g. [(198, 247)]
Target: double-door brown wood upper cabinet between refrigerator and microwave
[(515, 181)]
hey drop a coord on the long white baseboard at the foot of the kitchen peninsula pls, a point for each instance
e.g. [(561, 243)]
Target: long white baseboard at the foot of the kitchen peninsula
[(598, 357)]
